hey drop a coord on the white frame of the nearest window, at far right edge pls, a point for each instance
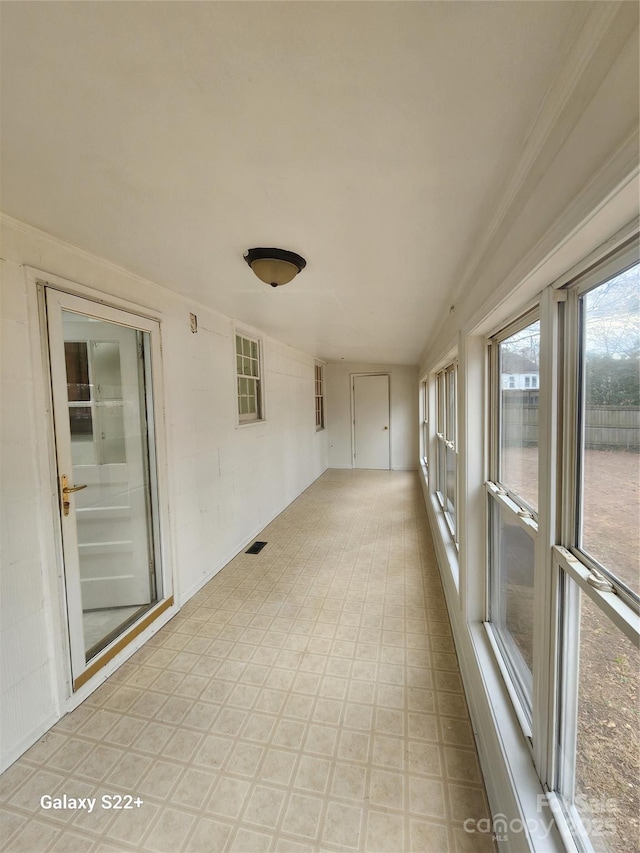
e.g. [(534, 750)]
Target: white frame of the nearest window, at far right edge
[(575, 571)]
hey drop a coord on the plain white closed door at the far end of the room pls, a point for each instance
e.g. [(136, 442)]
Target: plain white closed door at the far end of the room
[(371, 421)]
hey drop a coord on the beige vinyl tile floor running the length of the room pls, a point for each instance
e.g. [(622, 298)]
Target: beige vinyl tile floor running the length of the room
[(307, 698)]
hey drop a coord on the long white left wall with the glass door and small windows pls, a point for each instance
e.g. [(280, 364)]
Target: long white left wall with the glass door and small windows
[(225, 482)]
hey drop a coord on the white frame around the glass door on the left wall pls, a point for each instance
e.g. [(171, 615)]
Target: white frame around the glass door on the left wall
[(67, 693)]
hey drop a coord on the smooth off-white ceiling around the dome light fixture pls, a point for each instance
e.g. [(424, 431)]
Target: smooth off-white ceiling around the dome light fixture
[(375, 139)]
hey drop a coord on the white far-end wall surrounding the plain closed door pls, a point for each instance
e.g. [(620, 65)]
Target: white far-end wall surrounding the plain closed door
[(403, 382)]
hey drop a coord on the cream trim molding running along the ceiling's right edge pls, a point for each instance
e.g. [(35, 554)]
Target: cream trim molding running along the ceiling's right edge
[(546, 122)]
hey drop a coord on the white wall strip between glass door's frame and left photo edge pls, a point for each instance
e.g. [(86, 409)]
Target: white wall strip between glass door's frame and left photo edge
[(26, 678)]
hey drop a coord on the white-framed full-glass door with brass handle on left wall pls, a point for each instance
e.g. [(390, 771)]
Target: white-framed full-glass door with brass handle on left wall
[(102, 393)]
